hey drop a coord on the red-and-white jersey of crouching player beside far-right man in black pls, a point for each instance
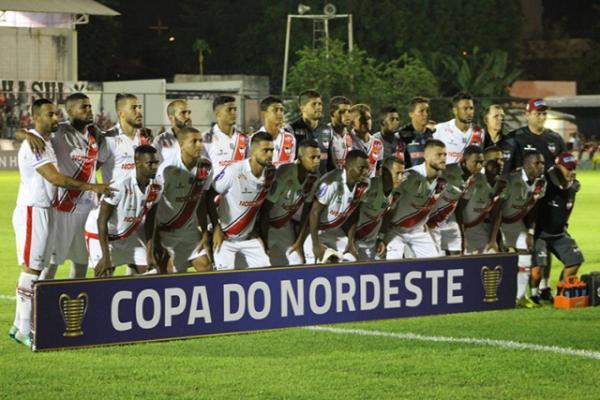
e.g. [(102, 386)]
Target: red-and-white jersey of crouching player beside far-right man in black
[(521, 196)]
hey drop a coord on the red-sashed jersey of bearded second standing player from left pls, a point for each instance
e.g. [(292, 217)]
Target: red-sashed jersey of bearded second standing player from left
[(77, 157)]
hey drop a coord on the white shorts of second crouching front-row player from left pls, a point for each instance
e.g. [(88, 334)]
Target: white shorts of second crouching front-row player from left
[(183, 245)]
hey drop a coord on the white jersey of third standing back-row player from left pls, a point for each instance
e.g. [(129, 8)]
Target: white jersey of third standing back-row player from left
[(117, 154)]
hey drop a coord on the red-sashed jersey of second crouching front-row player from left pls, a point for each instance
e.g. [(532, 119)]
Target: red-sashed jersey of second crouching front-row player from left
[(182, 189)]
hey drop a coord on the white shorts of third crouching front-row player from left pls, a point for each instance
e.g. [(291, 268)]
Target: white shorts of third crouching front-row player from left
[(251, 249)]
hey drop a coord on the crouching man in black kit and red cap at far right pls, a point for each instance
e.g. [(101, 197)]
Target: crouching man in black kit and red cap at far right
[(551, 234)]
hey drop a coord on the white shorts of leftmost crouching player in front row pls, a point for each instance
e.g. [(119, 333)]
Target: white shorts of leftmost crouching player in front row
[(130, 250)]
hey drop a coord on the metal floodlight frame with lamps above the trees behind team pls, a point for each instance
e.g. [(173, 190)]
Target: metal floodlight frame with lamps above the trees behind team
[(320, 26)]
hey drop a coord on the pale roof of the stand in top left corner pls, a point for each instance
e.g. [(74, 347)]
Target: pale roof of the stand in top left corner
[(89, 7)]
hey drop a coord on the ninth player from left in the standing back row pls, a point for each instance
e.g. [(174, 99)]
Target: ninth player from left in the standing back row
[(363, 140)]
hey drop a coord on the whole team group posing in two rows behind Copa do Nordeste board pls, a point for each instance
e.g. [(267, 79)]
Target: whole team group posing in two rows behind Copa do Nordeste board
[(317, 190)]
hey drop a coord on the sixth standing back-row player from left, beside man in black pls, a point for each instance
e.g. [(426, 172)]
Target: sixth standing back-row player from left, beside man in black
[(284, 142)]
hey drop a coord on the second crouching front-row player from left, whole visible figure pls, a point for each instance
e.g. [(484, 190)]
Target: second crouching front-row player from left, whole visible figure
[(185, 178)]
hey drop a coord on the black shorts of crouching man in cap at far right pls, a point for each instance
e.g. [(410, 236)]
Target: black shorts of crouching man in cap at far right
[(562, 246)]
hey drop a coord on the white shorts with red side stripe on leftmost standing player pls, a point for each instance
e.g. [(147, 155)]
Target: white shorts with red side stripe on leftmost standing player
[(33, 236)]
